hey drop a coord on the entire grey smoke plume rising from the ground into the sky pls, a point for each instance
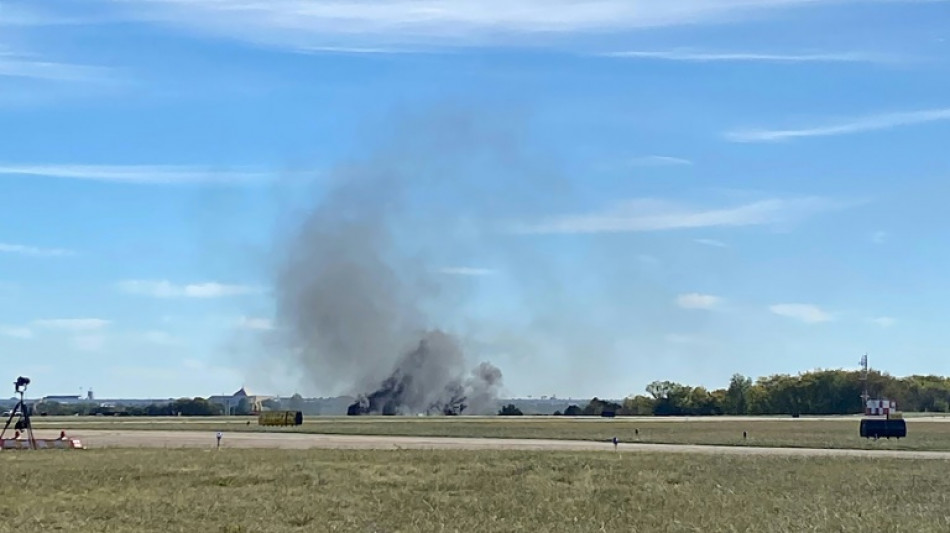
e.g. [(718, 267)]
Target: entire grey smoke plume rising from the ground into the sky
[(354, 295)]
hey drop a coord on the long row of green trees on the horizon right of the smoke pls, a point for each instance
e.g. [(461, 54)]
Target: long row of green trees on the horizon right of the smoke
[(819, 392)]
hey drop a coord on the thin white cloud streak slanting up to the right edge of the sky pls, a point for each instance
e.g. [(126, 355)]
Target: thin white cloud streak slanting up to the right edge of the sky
[(877, 122)]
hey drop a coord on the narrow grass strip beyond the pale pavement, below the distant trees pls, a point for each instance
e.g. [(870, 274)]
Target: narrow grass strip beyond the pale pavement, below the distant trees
[(843, 433)]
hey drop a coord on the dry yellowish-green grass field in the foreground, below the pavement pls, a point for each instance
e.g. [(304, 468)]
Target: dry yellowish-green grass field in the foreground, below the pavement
[(420, 491)]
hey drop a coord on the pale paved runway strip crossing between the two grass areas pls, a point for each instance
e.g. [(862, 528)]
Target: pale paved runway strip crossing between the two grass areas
[(94, 439)]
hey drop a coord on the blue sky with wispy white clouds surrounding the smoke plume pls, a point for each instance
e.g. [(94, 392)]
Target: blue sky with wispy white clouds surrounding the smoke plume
[(715, 186)]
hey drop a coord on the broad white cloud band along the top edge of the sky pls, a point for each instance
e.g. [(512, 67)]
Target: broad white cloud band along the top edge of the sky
[(301, 24)]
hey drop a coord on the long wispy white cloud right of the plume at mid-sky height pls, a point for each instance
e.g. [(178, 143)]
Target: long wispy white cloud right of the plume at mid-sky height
[(644, 215)]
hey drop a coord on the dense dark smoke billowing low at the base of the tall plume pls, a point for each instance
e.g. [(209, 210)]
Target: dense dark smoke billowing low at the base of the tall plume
[(422, 382)]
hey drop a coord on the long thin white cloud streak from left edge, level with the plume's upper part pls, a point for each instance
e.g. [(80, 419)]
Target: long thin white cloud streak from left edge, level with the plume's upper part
[(137, 174)]
